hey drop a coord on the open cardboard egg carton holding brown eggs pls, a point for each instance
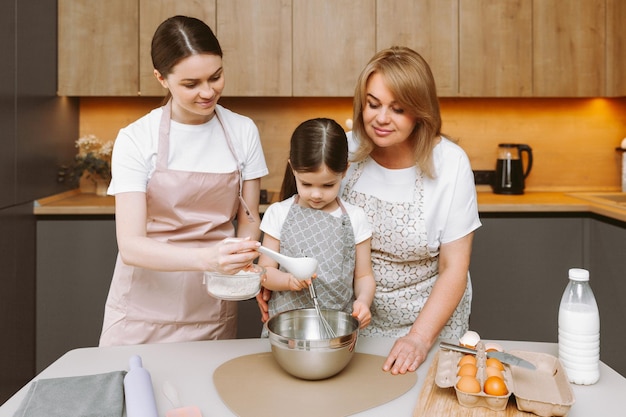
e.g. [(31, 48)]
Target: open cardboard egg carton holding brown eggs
[(544, 391)]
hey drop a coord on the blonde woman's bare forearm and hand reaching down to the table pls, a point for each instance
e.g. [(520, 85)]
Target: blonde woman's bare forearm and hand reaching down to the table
[(411, 350)]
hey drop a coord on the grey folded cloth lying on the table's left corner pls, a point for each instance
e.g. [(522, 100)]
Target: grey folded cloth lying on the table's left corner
[(100, 395)]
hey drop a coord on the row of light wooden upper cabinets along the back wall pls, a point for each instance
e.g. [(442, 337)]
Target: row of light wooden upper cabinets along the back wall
[(300, 48)]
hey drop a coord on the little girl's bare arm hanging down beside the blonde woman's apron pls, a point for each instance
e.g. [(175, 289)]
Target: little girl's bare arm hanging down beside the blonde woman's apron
[(364, 284)]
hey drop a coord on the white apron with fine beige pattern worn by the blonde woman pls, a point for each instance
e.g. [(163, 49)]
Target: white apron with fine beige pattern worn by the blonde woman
[(404, 269)]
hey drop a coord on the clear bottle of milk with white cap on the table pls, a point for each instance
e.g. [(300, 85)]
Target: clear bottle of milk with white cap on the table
[(579, 330)]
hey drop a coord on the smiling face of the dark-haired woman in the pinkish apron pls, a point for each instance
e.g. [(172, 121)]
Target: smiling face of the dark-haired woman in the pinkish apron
[(196, 84)]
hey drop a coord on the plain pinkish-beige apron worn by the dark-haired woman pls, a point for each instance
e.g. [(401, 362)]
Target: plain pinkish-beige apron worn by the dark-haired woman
[(191, 209)]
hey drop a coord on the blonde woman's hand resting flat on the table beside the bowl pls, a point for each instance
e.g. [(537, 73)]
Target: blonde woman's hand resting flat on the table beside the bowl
[(406, 355)]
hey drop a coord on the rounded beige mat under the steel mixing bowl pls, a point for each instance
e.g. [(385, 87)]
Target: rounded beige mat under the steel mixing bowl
[(256, 386)]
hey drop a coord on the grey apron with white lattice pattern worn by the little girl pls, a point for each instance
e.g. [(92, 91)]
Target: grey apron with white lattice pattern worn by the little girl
[(330, 240)]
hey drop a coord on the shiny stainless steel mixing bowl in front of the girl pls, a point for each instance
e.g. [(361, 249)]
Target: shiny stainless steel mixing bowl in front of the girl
[(297, 347)]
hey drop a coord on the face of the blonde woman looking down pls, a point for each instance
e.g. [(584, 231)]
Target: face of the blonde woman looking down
[(386, 121)]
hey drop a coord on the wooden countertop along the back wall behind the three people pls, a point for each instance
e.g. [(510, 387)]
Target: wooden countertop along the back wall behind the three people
[(75, 203)]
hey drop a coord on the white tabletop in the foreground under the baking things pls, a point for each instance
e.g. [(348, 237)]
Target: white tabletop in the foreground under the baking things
[(189, 367)]
